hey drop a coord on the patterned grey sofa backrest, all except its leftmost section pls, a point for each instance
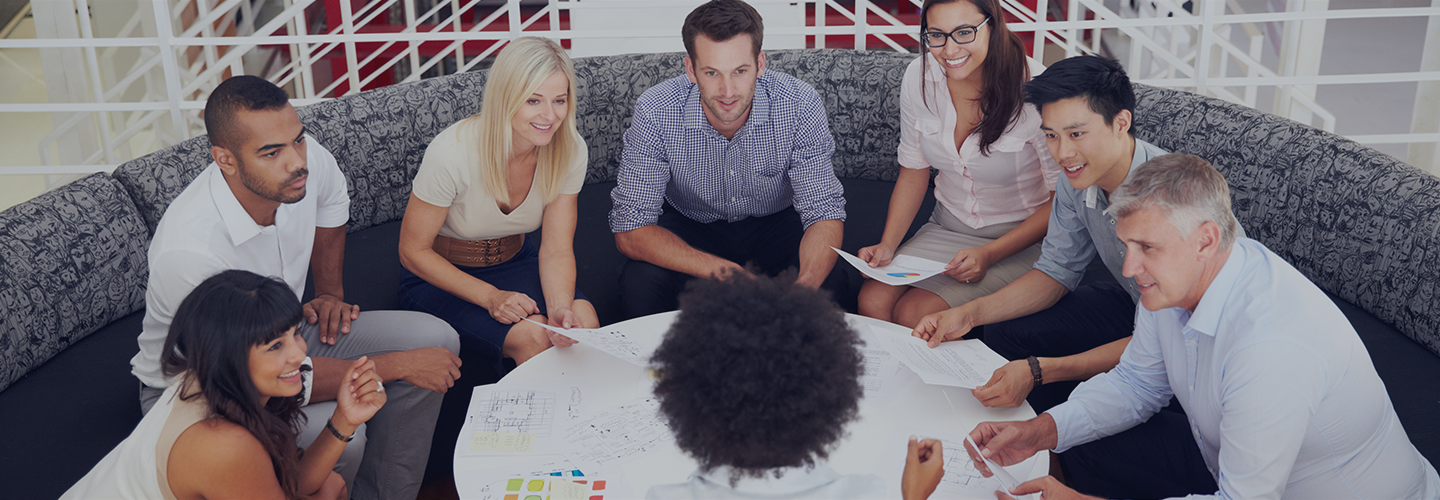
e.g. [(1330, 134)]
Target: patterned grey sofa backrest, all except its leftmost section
[(1360, 224)]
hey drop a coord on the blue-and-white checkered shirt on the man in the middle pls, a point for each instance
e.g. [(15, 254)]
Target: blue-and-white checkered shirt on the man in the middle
[(780, 158)]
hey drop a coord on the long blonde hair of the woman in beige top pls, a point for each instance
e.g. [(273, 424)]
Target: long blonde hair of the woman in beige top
[(519, 71)]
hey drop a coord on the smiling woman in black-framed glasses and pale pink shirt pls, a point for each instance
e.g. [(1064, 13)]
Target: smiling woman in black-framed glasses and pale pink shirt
[(963, 115)]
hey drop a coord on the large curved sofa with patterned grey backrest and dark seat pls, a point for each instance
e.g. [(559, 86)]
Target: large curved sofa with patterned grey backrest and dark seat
[(1360, 224)]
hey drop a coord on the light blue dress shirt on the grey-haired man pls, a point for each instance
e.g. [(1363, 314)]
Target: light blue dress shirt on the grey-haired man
[(1279, 391)]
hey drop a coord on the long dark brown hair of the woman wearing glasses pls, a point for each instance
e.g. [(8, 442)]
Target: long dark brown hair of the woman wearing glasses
[(1006, 71)]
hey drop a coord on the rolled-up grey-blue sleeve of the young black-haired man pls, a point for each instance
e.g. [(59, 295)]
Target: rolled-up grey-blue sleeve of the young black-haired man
[(1068, 247)]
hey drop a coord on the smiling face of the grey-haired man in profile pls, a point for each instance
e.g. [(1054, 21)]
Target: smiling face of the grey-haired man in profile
[(1169, 266)]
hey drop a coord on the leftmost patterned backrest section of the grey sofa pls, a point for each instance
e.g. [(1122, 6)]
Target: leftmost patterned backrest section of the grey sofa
[(71, 262)]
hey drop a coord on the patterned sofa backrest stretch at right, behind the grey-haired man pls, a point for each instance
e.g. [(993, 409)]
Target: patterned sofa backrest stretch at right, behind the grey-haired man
[(1357, 223)]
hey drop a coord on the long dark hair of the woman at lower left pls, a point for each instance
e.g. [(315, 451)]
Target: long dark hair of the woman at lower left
[(211, 341)]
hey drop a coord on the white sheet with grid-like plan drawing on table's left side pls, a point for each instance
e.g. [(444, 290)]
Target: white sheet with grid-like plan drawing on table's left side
[(506, 421)]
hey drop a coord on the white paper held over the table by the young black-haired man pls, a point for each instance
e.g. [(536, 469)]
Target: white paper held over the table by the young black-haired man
[(963, 364)]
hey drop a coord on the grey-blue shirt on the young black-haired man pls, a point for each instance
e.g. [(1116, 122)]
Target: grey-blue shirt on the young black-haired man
[(1079, 230)]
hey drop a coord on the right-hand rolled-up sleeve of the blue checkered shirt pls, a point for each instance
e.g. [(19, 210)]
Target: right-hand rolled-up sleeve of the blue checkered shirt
[(819, 194)]
